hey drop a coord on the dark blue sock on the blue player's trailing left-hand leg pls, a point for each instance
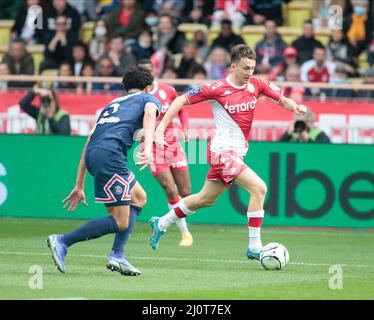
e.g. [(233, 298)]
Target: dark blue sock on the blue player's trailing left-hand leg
[(91, 230)]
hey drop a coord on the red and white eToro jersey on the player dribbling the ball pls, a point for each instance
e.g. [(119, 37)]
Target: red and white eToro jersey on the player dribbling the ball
[(233, 109)]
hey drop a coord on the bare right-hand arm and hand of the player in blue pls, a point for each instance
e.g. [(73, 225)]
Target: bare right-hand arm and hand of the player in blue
[(149, 125)]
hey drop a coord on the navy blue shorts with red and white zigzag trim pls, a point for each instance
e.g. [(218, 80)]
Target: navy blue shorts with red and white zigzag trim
[(113, 180)]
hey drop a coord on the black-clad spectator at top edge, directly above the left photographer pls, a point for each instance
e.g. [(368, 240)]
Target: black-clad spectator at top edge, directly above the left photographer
[(51, 15)]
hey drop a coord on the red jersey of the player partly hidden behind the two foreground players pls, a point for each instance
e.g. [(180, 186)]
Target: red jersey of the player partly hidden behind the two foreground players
[(166, 95)]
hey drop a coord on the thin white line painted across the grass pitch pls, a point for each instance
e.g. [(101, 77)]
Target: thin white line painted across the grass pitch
[(190, 260)]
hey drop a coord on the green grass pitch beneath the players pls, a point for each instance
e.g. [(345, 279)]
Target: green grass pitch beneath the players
[(214, 268)]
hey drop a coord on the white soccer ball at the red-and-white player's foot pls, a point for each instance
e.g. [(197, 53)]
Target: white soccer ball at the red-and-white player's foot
[(274, 256)]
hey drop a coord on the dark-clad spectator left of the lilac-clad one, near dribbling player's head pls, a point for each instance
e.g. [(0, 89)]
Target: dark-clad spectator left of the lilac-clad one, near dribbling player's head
[(187, 65)]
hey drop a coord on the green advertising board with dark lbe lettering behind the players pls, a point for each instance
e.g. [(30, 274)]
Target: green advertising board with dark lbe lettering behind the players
[(309, 185)]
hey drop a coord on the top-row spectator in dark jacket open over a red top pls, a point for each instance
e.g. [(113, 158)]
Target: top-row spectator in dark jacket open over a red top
[(127, 20)]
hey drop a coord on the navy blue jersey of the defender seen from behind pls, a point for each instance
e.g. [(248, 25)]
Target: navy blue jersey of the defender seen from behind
[(118, 122)]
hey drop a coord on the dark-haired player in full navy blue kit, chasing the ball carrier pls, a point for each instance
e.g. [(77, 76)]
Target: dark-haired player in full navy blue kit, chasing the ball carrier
[(104, 156)]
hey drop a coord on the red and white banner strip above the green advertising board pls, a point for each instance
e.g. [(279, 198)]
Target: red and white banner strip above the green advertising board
[(343, 121)]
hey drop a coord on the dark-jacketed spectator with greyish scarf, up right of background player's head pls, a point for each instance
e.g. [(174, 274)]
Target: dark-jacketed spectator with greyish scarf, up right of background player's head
[(167, 35)]
